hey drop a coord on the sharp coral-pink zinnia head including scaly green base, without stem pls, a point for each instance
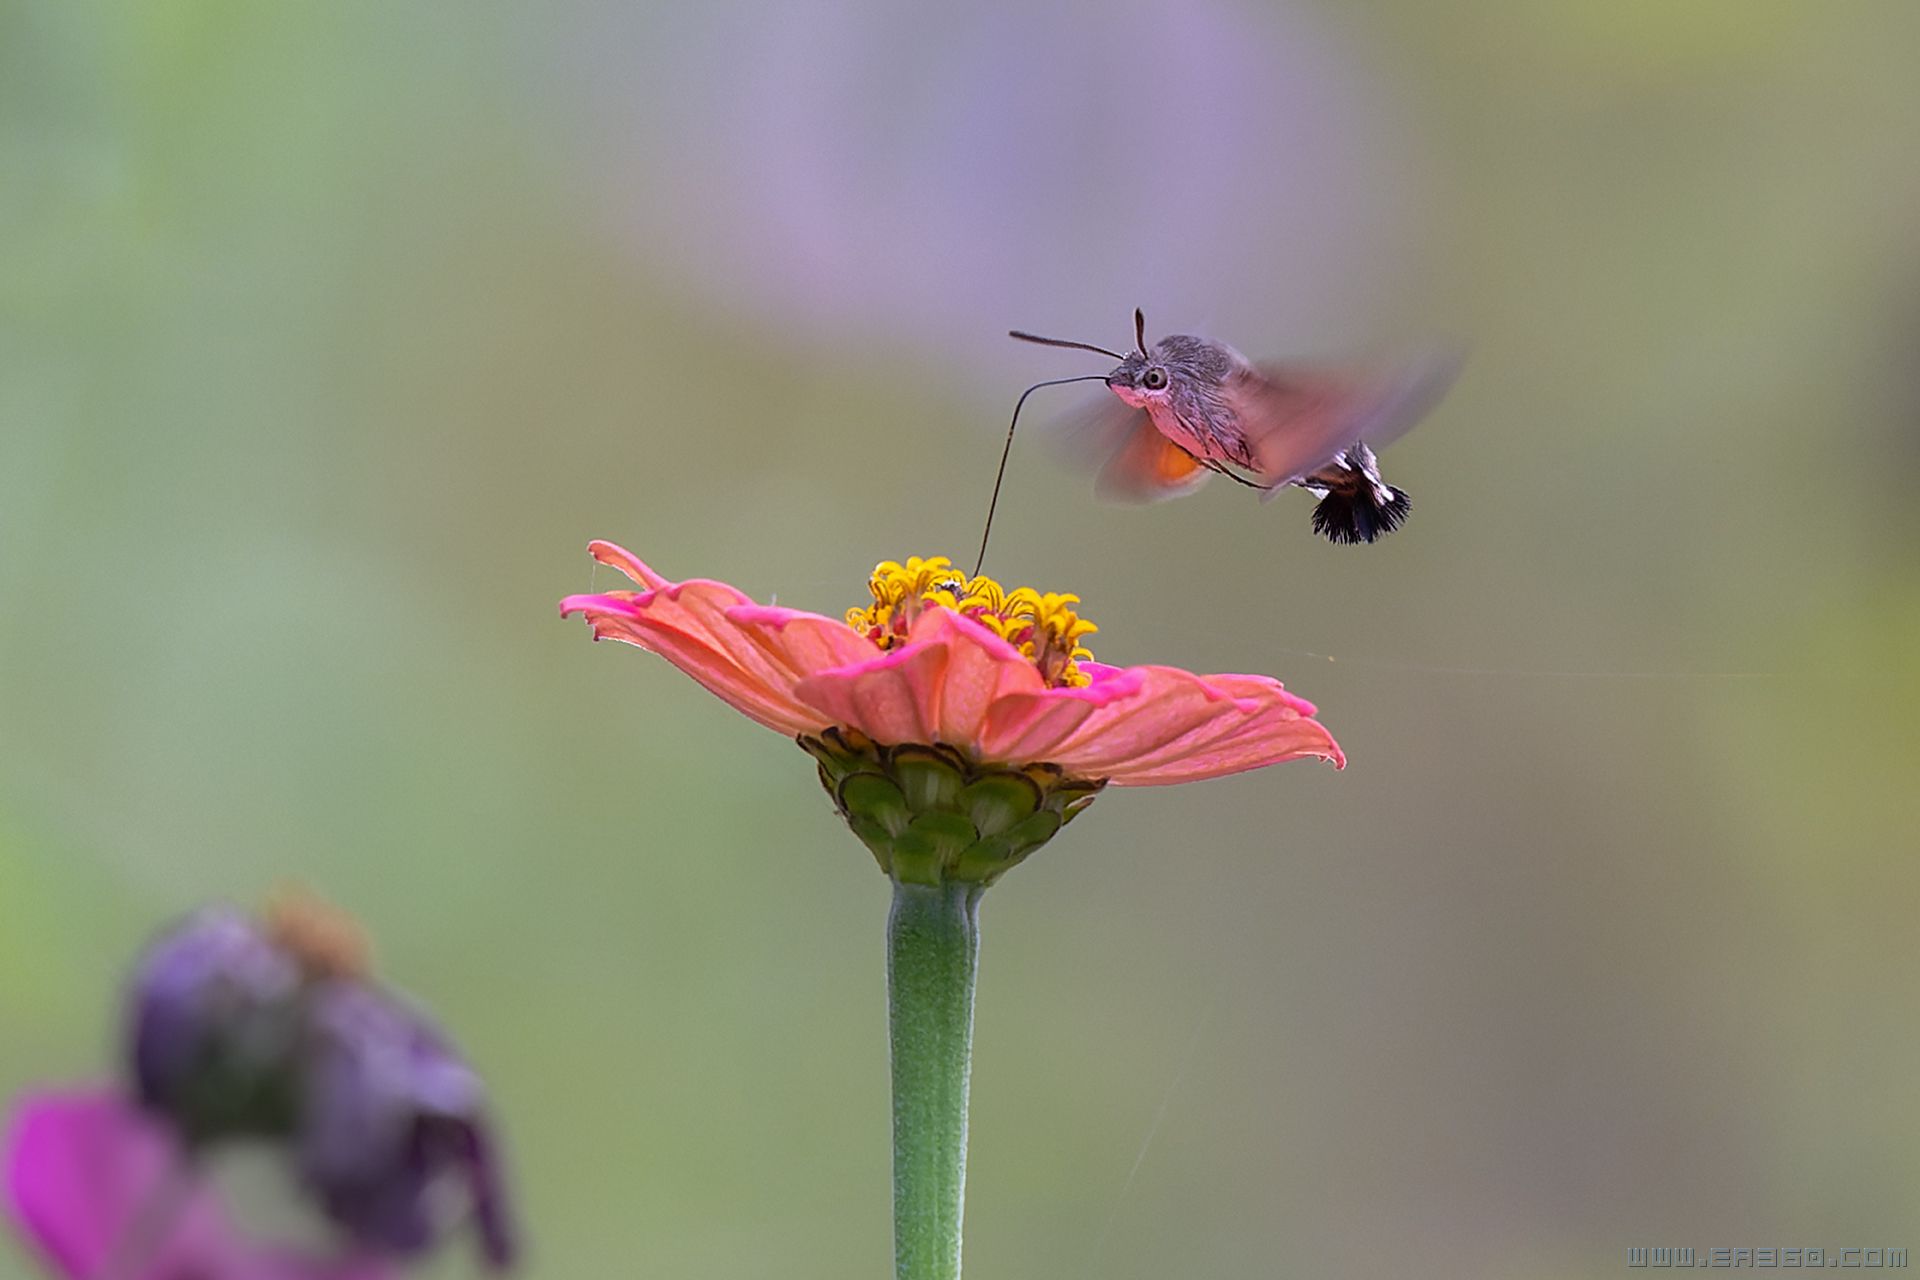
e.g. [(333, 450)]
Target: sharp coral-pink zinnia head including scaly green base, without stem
[(957, 724)]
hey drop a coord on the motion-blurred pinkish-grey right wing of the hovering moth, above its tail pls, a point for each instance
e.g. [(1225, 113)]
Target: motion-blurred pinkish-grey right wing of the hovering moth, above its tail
[(1297, 421)]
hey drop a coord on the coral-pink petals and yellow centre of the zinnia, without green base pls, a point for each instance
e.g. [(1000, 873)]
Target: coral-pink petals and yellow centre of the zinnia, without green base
[(936, 663)]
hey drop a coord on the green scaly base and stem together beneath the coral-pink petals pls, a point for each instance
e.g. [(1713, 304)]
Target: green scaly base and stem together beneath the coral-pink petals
[(944, 828)]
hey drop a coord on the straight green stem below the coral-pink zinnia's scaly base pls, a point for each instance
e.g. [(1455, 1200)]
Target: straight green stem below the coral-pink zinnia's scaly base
[(932, 962)]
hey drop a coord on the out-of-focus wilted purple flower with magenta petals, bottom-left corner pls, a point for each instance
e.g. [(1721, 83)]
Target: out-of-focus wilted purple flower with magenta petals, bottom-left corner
[(270, 1033)]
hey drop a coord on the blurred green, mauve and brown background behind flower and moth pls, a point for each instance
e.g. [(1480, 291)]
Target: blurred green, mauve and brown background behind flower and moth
[(331, 333)]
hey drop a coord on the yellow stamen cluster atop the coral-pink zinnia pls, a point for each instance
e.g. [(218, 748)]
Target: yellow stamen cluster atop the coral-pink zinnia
[(1044, 628)]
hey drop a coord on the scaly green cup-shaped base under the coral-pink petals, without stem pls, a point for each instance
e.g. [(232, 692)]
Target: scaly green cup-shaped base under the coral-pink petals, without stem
[(934, 817)]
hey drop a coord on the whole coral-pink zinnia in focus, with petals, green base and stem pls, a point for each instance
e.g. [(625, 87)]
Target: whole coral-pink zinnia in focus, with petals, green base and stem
[(957, 726)]
